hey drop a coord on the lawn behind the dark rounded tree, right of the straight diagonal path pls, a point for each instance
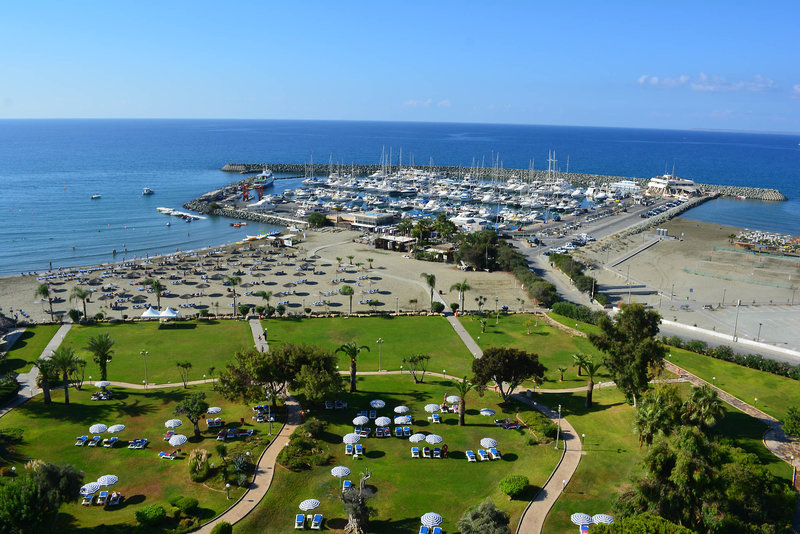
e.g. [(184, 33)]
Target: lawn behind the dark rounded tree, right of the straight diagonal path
[(554, 347)]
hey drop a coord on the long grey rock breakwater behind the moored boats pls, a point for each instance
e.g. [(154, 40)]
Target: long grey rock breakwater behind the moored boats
[(323, 169)]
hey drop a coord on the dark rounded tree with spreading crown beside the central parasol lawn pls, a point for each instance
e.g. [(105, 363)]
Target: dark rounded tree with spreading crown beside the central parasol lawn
[(507, 368)]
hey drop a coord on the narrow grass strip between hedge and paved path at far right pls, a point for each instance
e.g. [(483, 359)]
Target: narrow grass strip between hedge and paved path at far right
[(775, 393)]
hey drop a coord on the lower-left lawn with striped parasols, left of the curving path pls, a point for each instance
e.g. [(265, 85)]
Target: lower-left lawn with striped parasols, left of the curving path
[(50, 432)]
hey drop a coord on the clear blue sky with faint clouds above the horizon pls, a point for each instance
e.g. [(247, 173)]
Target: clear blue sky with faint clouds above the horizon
[(706, 64)]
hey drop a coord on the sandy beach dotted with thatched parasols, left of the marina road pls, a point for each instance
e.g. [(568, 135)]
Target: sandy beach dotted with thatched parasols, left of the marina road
[(307, 275)]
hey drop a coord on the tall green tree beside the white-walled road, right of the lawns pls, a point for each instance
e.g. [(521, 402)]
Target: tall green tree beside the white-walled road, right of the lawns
[(634, 356)]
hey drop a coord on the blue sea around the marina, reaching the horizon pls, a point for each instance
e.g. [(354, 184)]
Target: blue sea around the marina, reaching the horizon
[(49, 169)]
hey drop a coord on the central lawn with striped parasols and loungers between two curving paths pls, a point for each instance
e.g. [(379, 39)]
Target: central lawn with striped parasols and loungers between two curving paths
[(406, 488)]
